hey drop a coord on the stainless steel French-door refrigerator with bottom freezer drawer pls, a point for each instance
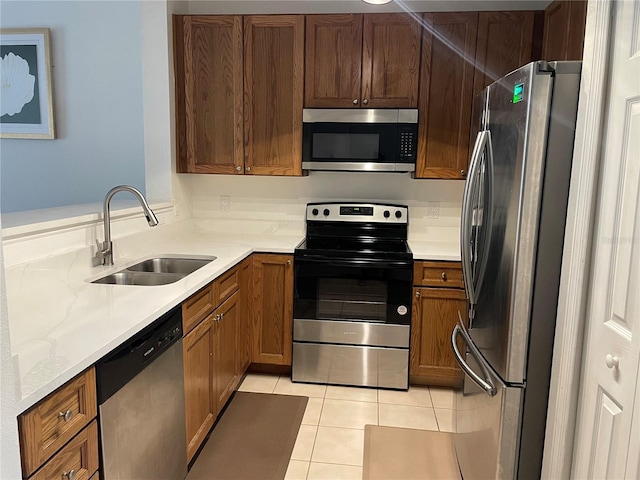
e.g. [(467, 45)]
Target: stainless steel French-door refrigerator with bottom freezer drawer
[(512, 232)]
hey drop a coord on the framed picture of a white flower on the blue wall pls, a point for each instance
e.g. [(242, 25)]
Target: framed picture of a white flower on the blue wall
[(26, 101)]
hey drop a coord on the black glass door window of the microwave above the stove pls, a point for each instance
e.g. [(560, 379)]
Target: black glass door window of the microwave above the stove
[(335, 142)]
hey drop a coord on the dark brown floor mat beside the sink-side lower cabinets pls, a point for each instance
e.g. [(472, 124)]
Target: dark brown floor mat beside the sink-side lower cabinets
[(253, 439)]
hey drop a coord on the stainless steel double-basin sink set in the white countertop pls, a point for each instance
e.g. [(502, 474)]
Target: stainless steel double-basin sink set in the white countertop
[(156, 271)]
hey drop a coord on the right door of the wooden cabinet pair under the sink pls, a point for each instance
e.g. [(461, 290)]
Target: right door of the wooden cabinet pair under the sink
[(226, 318)]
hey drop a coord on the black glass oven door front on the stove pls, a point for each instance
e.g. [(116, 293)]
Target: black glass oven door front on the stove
[(352, 293)]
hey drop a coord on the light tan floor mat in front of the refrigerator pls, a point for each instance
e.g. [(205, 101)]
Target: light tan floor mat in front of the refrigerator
[(404, 453)]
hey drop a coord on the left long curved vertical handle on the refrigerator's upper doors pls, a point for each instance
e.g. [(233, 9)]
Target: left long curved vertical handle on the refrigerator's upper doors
[(467, 215)]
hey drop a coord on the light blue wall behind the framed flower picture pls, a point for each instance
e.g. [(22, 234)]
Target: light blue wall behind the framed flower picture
[(98, 108)]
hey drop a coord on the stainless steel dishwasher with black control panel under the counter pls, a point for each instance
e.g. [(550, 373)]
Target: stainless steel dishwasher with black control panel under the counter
[(141, 405)]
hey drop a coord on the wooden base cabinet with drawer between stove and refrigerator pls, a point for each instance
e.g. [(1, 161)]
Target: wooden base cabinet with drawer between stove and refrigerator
[(438, 297)]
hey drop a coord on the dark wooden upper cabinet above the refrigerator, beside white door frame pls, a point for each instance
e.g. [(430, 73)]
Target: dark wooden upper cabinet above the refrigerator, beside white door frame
[(564, 24)]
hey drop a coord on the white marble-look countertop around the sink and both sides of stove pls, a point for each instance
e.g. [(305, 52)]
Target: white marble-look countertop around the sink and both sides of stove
[(61, 324)]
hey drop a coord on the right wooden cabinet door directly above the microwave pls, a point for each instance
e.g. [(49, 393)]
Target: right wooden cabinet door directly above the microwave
[(390, 61)]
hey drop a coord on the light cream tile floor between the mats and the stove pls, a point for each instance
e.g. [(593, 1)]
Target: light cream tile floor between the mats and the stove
[(330, 442)]
